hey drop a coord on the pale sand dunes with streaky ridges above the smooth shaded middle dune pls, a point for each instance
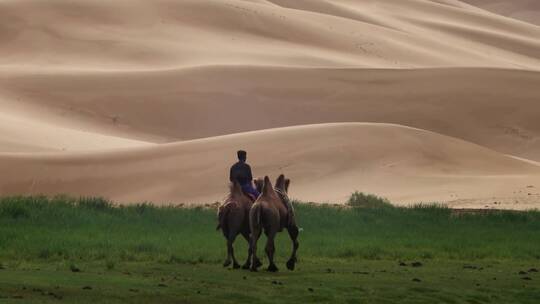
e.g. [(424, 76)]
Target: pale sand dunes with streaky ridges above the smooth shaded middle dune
[(89, 34)]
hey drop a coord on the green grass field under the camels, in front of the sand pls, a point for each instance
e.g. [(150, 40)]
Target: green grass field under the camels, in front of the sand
[(87, 250)]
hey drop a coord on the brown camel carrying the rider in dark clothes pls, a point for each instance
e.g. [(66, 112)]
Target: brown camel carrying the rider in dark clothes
[(233, 219)]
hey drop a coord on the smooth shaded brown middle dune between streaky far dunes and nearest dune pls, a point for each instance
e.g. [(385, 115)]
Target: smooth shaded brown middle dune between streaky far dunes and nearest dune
[(492, 107)]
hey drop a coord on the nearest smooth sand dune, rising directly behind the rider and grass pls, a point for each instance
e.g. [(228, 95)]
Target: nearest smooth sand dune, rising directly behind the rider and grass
[(326, 163)]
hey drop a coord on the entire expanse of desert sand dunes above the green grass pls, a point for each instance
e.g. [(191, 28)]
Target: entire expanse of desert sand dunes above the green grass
[(414, 100)]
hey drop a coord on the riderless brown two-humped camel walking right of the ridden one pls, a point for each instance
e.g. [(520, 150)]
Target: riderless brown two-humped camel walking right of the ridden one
[(272, 212)]
